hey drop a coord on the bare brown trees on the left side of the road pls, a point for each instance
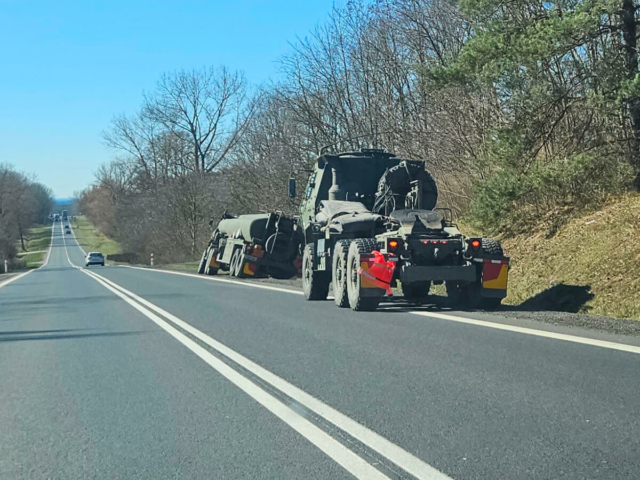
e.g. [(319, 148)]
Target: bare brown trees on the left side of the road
[(23, 203)]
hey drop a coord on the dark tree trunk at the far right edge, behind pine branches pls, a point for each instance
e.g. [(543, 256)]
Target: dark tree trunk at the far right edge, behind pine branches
[(629, 32)]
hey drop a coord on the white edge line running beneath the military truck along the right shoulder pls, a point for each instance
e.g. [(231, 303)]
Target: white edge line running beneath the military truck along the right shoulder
[(444, 316)]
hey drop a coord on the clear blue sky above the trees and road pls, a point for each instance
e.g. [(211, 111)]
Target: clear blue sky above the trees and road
[(67, 67)]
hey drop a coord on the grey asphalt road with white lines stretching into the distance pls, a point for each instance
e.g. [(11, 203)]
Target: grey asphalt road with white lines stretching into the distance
[(115, 372)]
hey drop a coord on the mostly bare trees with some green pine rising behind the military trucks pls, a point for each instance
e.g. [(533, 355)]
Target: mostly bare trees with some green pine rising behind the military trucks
[(522, 111)]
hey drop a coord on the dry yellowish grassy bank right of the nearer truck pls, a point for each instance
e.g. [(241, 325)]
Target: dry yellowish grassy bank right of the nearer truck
[(598, 255)]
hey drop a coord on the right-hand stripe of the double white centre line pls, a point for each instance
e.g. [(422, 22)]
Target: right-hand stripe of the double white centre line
[(384, 447)]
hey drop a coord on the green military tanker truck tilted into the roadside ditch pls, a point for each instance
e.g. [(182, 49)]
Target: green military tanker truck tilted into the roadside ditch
[(253, 246)]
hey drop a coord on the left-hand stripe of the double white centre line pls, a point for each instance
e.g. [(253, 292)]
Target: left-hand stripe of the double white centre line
[(351, 462)]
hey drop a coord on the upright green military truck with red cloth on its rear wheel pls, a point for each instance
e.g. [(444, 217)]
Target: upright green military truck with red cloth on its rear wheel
[(369, 222)]
